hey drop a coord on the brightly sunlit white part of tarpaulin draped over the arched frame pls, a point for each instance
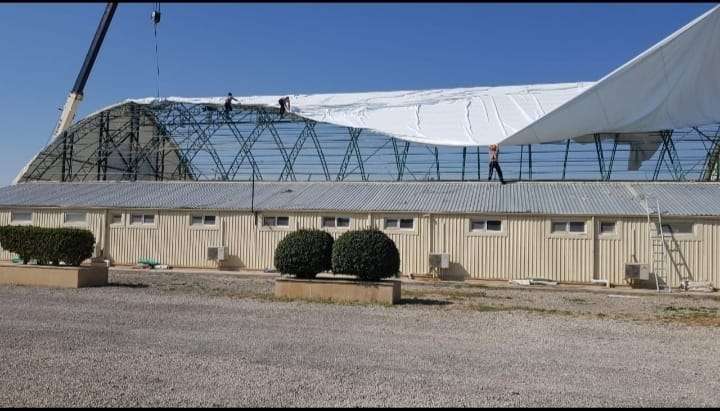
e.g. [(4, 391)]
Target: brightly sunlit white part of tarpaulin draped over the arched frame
[(454, 117)]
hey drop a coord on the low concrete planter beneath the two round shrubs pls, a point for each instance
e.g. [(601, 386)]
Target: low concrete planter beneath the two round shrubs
[(383, 292)]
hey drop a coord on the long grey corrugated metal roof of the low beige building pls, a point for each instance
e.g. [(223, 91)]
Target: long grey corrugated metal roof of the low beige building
[(558, 198)]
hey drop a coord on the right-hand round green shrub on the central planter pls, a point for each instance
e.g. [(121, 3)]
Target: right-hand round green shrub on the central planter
[(368, 254)]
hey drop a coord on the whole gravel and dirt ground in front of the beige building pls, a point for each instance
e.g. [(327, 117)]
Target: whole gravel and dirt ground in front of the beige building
[(156, 339)]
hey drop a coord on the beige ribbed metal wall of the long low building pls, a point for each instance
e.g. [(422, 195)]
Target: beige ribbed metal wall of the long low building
[(524, 248)]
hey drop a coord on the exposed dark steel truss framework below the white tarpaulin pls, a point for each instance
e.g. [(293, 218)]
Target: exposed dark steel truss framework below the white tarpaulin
[(180, 141)]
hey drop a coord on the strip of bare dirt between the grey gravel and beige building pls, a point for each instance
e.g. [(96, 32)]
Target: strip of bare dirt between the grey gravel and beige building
[(682, 308)]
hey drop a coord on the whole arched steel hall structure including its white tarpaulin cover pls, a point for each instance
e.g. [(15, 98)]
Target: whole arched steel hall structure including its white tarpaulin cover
[(658, 113)]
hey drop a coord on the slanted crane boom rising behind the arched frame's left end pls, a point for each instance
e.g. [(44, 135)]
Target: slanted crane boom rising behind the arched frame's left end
[(76, 94)]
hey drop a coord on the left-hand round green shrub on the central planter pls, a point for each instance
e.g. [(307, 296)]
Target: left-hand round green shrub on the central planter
[(304, 253)]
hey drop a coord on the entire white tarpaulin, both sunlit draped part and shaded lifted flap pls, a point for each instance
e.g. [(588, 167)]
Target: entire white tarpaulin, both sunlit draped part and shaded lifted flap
[(674, 84)]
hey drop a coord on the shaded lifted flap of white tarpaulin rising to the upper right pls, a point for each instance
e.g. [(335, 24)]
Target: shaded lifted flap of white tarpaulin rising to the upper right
[(674, 84)]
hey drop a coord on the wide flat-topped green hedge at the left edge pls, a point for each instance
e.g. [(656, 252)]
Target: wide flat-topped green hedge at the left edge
[(48, 245)]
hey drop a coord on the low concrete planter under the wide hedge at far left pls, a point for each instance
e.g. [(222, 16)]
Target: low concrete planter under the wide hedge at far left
[(53, 276)]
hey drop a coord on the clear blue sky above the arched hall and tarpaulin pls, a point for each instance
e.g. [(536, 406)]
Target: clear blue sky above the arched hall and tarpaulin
[(210, 49)]
